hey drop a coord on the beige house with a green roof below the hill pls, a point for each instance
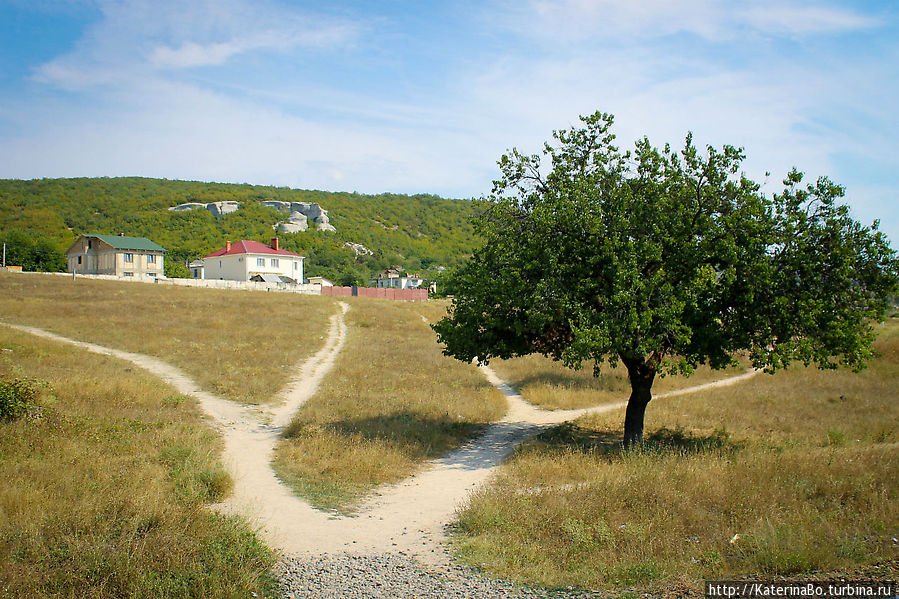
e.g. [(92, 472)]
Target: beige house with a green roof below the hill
[(116, 255)]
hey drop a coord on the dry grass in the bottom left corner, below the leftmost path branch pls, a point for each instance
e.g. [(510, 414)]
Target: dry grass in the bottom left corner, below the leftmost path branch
[(105, 488)]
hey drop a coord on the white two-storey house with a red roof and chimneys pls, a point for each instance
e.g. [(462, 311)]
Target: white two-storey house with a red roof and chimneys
[(251, 260)]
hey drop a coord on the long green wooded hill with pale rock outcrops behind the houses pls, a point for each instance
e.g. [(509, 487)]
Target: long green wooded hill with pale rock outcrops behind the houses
[(40, 218)]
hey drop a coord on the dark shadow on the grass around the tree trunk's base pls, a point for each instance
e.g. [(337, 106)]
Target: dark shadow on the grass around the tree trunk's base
[(570, 437)]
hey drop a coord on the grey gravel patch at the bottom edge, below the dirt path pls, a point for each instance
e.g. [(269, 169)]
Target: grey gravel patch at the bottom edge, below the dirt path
[(392, 575)]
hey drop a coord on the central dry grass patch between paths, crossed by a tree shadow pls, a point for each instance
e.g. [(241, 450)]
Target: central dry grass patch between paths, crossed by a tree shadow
[(391, 401)]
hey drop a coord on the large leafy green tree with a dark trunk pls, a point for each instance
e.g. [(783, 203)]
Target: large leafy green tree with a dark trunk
[(663, 260)]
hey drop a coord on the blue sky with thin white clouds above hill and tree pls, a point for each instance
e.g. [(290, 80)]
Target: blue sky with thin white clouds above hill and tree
[(424, 97)]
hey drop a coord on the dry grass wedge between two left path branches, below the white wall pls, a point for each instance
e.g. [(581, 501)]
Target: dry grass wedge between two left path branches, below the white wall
[(240, 345)]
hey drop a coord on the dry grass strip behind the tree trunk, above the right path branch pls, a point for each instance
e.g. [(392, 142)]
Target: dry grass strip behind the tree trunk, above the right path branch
[(552, 386)]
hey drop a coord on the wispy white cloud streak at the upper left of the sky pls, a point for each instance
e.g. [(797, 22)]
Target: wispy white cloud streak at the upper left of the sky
[(137, 37)]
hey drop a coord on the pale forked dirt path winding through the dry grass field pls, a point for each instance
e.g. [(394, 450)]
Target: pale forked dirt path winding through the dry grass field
[(408, 517)]
